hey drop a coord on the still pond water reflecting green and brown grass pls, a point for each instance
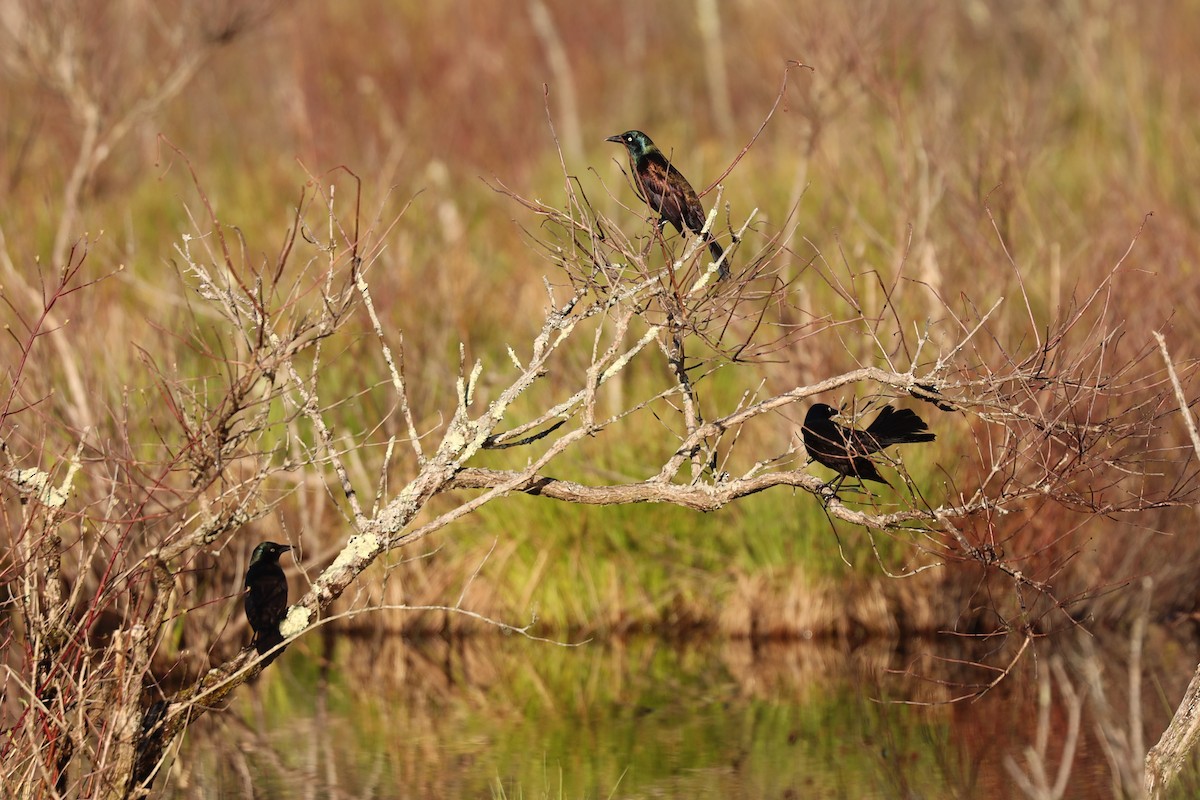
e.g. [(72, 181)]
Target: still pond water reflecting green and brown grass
[(509, 718)]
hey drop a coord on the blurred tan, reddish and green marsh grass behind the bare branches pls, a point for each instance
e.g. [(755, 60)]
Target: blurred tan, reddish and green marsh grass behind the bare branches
[(934, 161)]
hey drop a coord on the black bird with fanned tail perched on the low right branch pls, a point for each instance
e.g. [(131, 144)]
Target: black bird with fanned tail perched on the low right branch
[(845, 450)]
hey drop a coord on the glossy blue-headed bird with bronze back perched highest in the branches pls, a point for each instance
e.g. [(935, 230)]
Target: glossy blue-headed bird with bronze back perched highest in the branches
[(667, 191)]
